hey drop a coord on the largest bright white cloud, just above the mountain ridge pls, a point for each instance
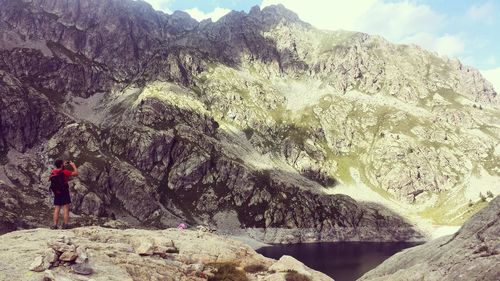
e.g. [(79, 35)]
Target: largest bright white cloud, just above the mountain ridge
[(400, 22)]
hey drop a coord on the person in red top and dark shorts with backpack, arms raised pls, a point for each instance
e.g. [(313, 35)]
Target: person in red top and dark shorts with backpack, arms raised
[(59, 178)]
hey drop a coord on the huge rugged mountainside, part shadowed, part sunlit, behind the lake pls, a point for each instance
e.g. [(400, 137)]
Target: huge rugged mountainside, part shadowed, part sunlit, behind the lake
[(245, 122)]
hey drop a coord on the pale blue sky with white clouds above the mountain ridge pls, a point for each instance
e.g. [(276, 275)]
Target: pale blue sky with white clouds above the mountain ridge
[(464, 29)]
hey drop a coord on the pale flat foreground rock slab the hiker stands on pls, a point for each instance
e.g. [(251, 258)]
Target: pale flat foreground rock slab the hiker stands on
[(121, 255)]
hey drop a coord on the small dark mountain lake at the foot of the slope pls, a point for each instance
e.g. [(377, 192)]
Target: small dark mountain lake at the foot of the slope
[(343, 261)]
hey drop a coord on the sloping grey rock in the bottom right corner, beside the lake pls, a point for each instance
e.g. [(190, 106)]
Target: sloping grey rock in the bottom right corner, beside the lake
[(470, 254)]
